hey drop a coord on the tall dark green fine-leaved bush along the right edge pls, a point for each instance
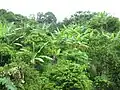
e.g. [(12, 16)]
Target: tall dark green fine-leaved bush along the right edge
[(103, 52)]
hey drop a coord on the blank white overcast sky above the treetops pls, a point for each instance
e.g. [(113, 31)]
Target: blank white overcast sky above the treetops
[(61, 8)]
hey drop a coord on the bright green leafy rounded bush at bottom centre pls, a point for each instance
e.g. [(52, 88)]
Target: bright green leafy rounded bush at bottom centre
[(66, 76)]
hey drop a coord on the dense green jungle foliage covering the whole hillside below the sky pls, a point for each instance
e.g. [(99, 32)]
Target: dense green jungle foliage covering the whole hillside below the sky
[(80, 53)]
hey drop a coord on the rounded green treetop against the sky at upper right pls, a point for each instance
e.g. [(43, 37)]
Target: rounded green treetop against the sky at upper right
[(103, 21)]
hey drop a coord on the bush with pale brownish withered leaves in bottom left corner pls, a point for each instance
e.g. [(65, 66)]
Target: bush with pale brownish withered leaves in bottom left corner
[(21, 75)]
